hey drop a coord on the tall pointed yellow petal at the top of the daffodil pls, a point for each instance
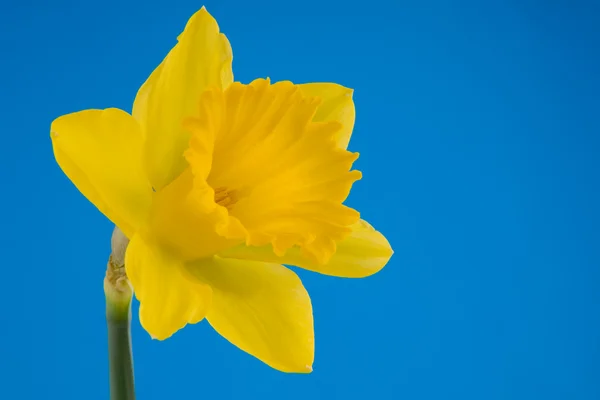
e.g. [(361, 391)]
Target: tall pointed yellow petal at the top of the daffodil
[(201, 59)]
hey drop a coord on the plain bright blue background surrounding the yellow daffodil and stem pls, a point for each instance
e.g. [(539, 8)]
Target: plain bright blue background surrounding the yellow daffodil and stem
[(478, 125)]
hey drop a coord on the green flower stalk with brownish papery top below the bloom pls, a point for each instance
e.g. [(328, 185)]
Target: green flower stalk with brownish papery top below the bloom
[(118, 293)]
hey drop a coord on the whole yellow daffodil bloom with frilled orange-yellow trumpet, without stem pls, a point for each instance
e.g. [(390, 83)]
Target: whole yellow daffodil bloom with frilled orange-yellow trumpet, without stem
[(217, 184)]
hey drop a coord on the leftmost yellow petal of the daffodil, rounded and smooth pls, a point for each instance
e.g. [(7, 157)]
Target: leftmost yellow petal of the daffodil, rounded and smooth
[(101, 152)]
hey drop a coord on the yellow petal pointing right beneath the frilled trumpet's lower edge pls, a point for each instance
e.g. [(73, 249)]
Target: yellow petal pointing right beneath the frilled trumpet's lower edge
[(361, 254)]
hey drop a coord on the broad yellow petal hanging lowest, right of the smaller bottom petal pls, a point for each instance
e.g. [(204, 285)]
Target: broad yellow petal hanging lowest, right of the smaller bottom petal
[(261, 308)]
